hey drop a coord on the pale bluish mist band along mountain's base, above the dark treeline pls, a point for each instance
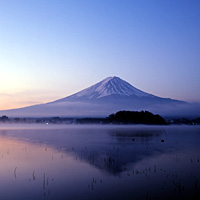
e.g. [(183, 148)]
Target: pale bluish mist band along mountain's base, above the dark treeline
[(80, 109)]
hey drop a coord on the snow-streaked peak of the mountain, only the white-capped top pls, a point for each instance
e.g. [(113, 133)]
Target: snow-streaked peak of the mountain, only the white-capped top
[(110, 86)]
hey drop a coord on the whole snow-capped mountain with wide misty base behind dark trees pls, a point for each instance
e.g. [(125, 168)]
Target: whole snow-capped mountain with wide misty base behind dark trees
[(107, 96)]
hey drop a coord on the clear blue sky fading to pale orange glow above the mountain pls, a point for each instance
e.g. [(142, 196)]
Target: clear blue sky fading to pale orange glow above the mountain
[(50, 49)]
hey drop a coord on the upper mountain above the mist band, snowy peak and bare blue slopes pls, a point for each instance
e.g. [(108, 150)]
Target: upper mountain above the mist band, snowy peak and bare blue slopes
[(114, 90)]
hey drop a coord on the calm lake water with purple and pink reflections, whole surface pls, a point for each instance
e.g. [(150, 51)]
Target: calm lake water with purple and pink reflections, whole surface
[(99, 162)]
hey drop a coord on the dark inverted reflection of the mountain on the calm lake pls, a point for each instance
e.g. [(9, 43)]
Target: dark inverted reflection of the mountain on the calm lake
[(109, 149)]
